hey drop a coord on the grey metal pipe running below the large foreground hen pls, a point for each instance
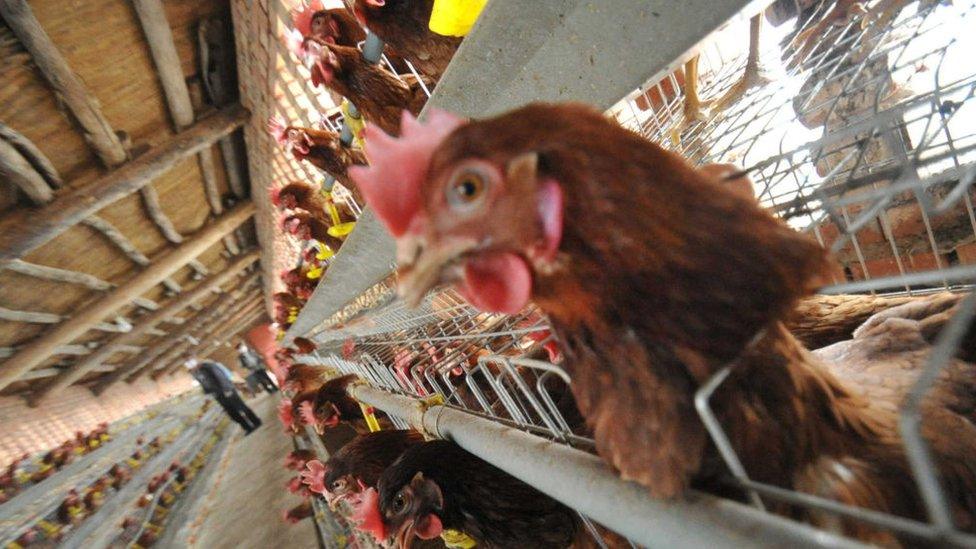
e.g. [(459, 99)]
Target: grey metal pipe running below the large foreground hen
[(583, 482)]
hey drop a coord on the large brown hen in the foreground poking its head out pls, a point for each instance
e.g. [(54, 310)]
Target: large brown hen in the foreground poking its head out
[(655, 277)]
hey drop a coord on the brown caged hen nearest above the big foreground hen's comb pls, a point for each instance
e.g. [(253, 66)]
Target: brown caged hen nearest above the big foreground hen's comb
[(378, 94)]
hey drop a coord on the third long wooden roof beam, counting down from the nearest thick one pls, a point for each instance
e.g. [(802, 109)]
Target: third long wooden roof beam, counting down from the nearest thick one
[(78, 370)]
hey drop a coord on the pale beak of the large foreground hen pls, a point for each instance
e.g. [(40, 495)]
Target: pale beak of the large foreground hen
[(421, 267)]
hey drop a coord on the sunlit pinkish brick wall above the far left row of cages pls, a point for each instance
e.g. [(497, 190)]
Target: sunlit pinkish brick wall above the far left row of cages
[(32, 430)]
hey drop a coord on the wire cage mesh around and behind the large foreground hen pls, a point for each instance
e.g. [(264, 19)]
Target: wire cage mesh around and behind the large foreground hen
[(861, 132)]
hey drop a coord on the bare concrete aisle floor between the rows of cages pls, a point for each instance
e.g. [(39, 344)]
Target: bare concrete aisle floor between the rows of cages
[(244, 506)]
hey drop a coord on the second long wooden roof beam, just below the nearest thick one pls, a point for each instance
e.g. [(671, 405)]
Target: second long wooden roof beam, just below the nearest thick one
[(38, 350)]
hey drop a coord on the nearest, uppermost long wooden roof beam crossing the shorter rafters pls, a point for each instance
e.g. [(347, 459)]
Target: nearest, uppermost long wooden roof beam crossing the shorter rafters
[(23, 231)]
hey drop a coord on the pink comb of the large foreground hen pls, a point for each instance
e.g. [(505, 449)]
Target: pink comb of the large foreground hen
[(391, 183)]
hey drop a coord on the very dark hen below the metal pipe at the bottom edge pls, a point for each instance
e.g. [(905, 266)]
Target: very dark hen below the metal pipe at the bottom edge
[(436, 486)]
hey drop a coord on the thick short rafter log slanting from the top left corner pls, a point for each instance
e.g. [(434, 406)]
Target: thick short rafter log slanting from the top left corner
[(66, 84)]
